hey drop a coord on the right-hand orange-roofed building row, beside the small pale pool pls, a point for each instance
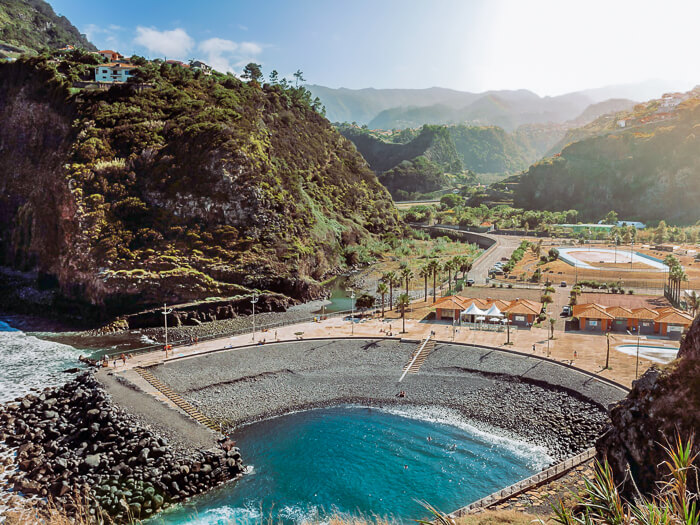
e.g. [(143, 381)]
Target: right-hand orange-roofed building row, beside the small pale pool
[(666, 321)]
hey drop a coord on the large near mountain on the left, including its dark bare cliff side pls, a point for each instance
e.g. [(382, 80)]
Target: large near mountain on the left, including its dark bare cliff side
[(202, 186)]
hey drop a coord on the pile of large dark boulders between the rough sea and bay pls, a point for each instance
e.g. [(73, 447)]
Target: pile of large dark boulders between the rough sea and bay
[(73, 444)]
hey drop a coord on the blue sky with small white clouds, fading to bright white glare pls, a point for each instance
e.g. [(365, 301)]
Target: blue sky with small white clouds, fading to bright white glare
[(548, 46)]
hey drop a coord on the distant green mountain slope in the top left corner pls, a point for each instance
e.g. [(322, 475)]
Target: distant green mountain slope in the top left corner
[(33, 25)]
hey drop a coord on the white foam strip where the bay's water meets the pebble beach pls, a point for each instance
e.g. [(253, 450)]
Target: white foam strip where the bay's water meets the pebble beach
[(536, 456)]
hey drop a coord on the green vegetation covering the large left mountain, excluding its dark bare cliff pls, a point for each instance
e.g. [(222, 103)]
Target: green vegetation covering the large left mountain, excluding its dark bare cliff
[(230, 178)]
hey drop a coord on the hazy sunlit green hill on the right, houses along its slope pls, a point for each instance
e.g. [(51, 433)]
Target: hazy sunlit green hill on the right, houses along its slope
[(643, 164)]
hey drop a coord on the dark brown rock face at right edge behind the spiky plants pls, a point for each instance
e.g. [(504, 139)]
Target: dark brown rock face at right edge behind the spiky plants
[(661, 405)]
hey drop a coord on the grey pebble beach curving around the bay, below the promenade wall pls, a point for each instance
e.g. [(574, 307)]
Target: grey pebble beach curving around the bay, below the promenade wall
[(542, 403)]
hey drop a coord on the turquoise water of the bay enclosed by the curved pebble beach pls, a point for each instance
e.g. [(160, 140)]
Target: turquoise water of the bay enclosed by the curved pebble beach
[(353, 459)]
